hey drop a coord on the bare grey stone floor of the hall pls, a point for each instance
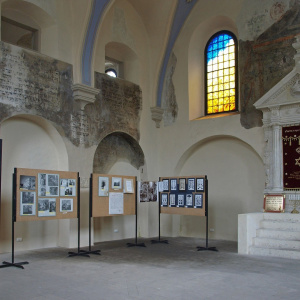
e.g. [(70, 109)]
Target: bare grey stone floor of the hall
[(158, 271)]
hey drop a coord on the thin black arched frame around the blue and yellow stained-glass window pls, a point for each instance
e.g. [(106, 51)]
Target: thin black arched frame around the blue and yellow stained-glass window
[(231, 34)]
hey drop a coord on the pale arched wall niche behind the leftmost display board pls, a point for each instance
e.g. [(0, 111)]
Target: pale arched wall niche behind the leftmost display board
[(29, 142)]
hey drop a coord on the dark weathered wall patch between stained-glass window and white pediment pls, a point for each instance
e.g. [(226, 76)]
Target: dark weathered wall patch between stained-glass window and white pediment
[(267, 58)]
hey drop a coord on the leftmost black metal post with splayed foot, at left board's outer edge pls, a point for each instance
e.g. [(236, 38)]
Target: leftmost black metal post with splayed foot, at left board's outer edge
[(6, 264)]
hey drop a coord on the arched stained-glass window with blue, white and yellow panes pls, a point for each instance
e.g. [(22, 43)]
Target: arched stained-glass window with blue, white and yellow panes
[(221, 86)]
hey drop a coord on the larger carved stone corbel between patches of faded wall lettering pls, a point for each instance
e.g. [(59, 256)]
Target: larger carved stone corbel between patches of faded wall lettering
[(83, 95)]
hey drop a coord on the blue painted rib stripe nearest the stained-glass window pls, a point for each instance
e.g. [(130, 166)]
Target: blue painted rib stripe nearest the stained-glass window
[(182, 11)]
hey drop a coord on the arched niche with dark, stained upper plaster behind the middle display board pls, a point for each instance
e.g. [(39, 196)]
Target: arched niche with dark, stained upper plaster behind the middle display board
[(117, 154)]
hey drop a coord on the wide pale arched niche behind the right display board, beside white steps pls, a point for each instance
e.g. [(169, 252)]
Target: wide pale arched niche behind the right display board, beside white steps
[(235, 175)]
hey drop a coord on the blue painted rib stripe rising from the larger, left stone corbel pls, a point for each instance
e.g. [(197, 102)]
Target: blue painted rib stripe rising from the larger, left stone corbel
[(86, 61)]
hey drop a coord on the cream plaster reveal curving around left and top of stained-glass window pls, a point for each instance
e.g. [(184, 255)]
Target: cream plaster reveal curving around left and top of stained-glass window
[(199, 38)]
